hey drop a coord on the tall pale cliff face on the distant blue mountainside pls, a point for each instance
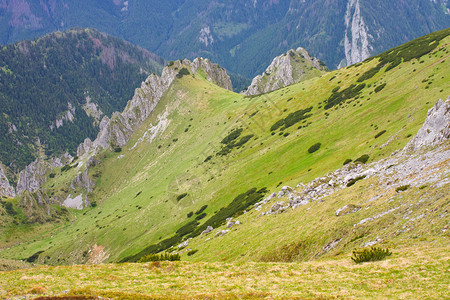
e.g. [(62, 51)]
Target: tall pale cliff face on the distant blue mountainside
[(356, 41)]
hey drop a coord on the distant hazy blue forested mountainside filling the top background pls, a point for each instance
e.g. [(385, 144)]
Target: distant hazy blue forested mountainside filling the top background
[(242, 36)]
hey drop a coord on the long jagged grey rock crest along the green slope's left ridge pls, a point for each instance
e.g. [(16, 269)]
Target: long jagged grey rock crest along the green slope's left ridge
[(118, 130)]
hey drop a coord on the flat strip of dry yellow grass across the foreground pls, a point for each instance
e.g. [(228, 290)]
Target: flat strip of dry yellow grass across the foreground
[(419, 272)]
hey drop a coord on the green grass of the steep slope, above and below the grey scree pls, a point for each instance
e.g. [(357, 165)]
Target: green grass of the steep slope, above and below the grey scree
[(218, 145)]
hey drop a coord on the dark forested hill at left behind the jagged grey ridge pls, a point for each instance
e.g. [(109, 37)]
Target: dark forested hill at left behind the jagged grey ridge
[(54, 91)]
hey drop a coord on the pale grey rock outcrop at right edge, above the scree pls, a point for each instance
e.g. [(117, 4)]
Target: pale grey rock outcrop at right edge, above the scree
[(435, 129)]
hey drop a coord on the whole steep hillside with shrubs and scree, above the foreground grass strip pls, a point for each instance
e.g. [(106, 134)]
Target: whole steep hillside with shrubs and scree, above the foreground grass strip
[(206, 154)]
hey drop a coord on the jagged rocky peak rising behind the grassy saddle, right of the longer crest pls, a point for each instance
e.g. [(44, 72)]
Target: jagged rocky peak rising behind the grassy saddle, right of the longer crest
[(286, 69)]
